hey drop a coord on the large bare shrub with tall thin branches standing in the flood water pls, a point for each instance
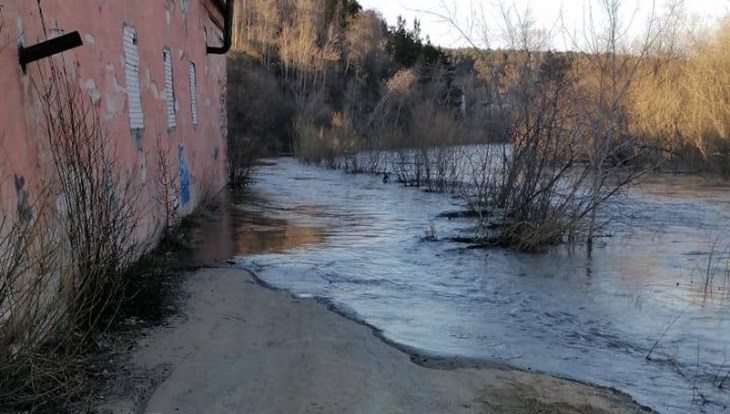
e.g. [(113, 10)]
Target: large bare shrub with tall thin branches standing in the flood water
[(569, 148)]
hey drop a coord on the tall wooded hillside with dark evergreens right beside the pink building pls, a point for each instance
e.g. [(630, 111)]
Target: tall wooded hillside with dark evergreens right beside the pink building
[(323, 78)]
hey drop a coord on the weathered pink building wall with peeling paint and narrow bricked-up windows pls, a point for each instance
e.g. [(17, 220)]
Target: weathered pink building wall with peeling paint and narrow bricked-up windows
[(183, 26)]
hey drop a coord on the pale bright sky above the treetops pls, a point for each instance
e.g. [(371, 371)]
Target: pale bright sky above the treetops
[(550, 15)]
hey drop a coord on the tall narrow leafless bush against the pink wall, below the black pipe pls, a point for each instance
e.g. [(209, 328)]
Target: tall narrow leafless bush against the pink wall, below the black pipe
[(99, 216)]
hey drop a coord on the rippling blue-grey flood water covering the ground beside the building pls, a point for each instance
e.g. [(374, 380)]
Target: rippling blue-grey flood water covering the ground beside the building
[(359, 244)]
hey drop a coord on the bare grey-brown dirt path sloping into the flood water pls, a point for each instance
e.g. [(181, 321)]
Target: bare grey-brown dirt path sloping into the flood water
[(243, 348)]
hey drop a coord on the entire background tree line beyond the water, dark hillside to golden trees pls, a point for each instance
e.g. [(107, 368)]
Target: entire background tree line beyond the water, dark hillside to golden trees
[(326, 79)]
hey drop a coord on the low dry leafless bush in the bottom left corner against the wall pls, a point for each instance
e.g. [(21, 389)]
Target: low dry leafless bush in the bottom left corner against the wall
[(32, 315)]
